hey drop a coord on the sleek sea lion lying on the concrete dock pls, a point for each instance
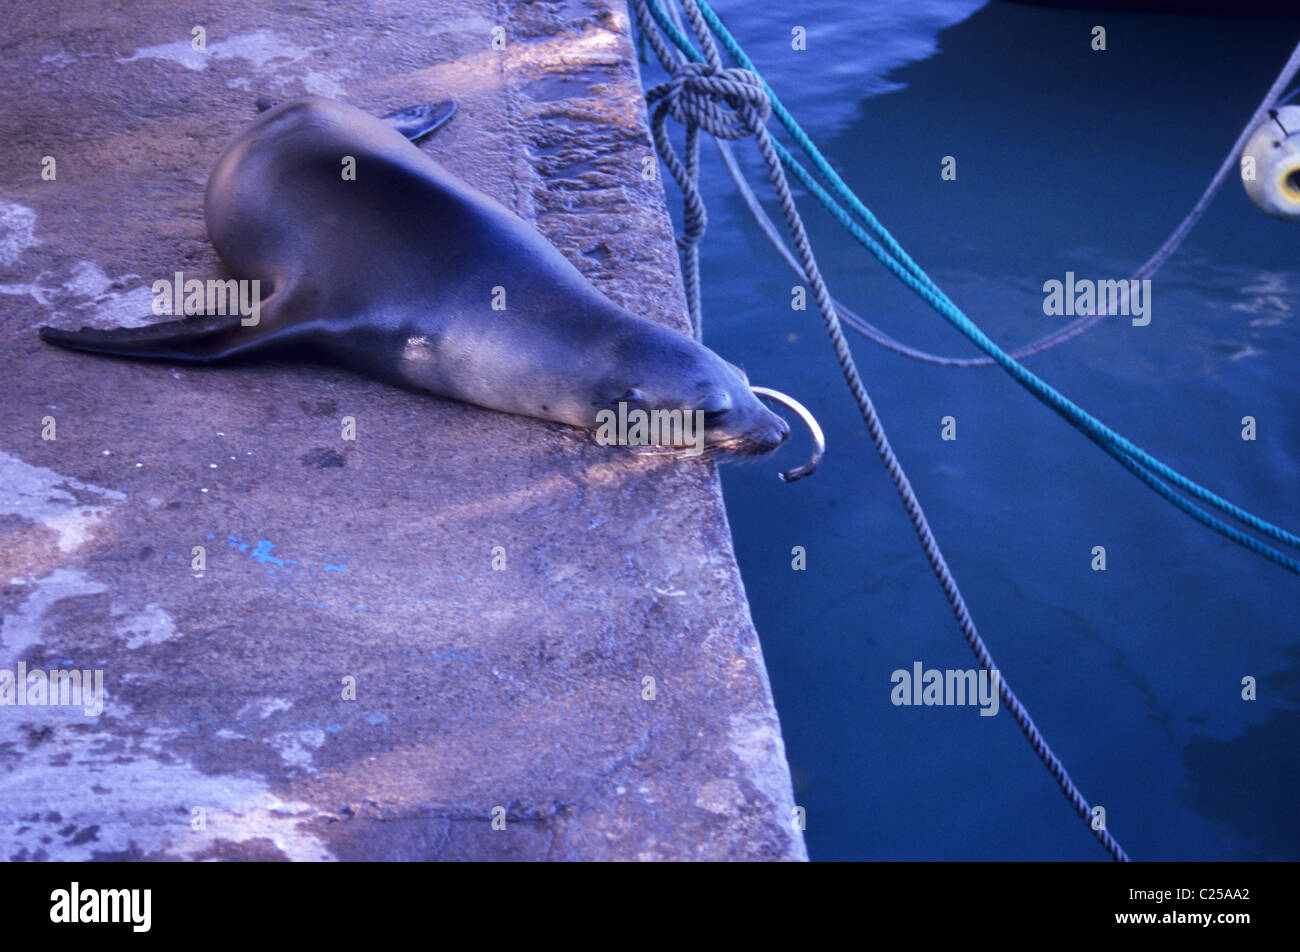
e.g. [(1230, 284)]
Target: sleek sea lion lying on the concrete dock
[(406, 274)]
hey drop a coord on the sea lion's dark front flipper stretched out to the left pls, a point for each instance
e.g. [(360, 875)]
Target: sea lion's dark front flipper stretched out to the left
[(200, 339)]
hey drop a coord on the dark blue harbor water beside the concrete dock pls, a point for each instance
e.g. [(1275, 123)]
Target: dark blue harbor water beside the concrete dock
[(1068, 161)]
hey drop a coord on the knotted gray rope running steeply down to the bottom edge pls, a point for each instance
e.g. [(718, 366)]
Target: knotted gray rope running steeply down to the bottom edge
[(708, 88)]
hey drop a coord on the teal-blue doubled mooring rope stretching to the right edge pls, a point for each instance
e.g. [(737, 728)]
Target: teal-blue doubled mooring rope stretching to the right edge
[(887, 250)]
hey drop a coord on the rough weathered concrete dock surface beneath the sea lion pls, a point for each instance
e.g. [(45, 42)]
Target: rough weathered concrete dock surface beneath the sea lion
[(226, 732)]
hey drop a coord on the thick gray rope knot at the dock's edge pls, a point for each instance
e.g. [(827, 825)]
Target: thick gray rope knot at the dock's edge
[(697, 93)]
